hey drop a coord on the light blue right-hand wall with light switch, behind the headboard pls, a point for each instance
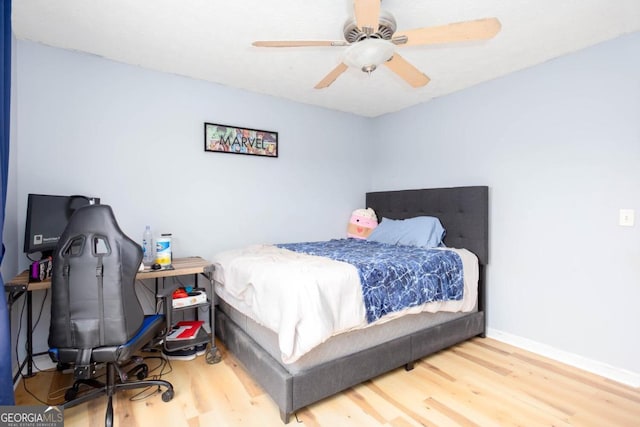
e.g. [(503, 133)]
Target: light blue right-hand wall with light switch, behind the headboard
[(559, 146)]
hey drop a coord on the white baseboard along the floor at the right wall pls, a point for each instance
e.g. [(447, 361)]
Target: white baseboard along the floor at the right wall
[(617, 374)]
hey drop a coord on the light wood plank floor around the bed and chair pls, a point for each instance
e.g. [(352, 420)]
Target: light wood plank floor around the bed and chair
[(481, 382)]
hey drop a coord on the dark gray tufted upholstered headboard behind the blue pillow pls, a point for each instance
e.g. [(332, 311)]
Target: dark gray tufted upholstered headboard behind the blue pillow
[(463, 212)]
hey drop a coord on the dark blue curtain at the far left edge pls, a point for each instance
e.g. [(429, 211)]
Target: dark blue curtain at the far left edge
[(6, 381)]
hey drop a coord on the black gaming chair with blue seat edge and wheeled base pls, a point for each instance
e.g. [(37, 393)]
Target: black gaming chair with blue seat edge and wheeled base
[(96, 317)]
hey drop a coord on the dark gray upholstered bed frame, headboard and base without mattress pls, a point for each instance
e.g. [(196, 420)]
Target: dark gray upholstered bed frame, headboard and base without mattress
[(463, 212)]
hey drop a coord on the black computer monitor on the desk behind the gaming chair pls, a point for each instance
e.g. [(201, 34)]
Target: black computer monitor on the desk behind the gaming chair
[(47, 217)]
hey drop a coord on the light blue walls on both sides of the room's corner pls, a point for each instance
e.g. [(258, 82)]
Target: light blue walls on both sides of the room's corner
[(558, 144)]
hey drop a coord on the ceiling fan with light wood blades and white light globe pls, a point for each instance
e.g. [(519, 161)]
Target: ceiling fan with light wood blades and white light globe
[(371, 40)]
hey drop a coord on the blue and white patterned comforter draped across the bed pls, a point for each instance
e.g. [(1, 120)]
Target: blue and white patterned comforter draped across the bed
[(394, 277)]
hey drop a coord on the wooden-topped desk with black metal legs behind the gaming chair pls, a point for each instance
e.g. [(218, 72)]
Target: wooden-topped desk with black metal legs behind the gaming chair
[(20, 285)]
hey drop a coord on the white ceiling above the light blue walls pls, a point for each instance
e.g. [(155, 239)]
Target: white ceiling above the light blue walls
[(211, 40)]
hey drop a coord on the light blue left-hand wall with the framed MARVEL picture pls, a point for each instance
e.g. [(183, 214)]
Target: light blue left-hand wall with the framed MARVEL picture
[(86, 125)]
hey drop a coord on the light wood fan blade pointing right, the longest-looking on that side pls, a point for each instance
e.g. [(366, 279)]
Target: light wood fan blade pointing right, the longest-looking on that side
[(480, 29)]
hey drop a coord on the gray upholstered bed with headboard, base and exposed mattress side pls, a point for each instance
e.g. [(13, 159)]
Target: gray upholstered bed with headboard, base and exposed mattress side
[(349, 358)]
